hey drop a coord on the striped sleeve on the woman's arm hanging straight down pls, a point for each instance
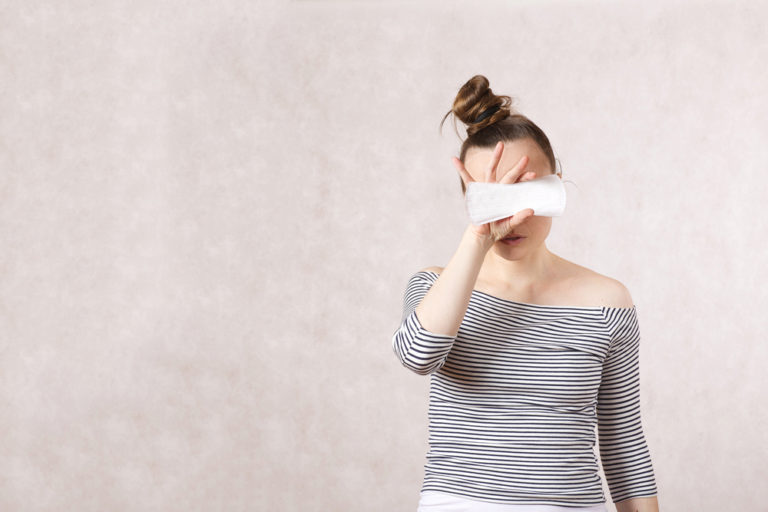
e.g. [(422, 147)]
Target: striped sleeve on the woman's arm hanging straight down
[(624, 452)]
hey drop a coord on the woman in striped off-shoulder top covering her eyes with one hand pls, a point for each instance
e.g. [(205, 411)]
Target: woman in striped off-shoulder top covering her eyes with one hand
[(526, 350)]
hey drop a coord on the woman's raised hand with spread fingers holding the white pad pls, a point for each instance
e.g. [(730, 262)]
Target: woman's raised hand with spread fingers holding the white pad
[(491, 232)]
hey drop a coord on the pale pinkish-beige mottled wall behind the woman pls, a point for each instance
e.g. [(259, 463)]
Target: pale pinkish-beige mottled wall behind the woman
[(209, 212)]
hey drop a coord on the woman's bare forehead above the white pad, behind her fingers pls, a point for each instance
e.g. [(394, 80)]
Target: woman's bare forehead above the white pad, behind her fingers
[(476, 160)]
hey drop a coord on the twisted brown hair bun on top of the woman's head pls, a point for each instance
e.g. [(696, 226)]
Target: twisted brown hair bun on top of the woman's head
[(477, 107)]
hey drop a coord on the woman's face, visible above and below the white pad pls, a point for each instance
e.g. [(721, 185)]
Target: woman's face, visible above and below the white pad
[(535, 228)]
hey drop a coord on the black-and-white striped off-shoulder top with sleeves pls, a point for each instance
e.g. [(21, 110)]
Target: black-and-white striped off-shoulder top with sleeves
[(515, 397)]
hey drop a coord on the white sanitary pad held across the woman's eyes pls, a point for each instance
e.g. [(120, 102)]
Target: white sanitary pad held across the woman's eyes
[(487, 202)]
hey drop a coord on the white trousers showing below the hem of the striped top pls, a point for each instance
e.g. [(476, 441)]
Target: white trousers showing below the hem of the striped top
[(433, 501)]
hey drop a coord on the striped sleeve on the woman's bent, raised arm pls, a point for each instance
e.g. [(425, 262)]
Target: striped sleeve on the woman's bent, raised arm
[(417, 348)]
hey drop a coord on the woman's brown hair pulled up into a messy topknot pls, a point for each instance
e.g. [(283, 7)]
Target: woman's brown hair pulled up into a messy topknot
[(505, 124)]
